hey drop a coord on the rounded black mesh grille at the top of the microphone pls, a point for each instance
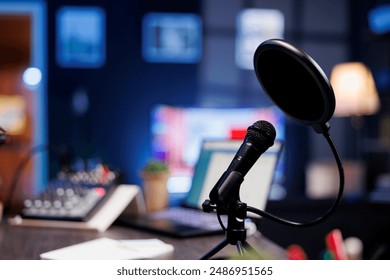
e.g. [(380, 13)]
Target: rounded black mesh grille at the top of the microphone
[(262, 134)]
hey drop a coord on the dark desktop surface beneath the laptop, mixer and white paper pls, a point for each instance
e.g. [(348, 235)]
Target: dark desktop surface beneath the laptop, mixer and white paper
[(27, 243)]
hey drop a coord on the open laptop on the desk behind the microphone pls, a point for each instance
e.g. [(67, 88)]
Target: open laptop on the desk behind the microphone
[(188, 219)]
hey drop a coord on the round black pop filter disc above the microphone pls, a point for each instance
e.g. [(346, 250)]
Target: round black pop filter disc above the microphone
[(295, 83)]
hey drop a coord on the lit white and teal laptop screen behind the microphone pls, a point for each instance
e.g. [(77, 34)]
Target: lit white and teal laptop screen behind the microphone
[(214, 159)]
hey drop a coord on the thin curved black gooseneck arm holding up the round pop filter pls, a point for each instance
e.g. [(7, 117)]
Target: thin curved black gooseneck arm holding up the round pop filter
[(330, 211)]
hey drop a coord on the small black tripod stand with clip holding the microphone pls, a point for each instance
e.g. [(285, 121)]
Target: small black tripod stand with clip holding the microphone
[(229, 203)]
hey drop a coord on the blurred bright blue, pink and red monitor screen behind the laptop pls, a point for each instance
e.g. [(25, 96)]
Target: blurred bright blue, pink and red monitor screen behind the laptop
[(178, 133)]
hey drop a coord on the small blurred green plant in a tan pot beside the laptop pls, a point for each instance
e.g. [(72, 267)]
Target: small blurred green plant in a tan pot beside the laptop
[(155, 176)]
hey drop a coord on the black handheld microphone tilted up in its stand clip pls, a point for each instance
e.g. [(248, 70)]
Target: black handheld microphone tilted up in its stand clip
[(259, 137)]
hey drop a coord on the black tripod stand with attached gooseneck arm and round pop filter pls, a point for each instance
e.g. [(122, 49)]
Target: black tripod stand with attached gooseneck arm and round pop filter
[(299, 87)]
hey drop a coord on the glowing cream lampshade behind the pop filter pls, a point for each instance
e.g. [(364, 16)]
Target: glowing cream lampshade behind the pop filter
[(355, 91)]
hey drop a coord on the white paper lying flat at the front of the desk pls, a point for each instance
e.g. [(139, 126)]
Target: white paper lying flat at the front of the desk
[(110, 249)]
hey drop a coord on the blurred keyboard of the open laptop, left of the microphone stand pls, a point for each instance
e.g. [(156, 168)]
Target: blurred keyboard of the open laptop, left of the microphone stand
[(191, 217)]
